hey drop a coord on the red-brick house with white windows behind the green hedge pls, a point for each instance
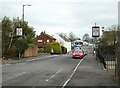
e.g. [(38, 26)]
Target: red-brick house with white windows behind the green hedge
[(41, 40)]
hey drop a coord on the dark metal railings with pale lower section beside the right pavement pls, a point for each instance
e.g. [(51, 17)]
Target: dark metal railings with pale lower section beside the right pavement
[(107, 60)]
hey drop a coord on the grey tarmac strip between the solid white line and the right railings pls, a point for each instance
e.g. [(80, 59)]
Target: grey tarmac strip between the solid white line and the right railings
[(92, 73)]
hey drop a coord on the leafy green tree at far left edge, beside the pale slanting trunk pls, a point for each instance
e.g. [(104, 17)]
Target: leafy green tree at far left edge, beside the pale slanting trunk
[(6, 34)]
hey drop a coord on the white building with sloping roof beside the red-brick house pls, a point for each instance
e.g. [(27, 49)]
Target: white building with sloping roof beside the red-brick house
[(62, 42)]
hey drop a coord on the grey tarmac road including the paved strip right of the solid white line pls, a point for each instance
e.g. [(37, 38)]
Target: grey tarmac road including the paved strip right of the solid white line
[(60, 70)]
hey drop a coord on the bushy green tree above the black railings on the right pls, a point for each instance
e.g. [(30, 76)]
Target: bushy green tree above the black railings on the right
[(107, 42)]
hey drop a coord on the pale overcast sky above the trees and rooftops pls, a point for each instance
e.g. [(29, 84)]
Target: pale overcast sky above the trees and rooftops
[(63, 16)]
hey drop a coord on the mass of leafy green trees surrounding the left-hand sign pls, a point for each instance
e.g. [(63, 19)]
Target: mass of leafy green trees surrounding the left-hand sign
[(9, 38)]
